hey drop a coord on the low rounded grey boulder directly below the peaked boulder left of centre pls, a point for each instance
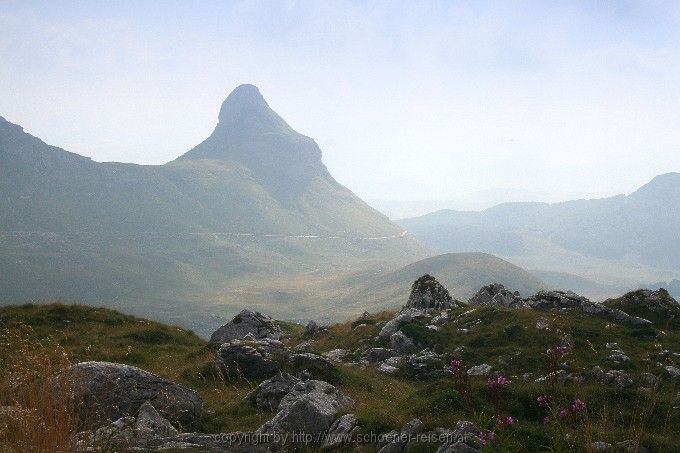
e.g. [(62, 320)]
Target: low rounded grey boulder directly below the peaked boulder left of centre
[(238, 359)]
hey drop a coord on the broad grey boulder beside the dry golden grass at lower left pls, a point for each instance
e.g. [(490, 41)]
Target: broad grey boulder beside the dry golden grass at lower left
[(109, 391)]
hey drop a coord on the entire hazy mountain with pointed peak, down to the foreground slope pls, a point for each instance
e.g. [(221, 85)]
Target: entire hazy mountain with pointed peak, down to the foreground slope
[(250, 217)]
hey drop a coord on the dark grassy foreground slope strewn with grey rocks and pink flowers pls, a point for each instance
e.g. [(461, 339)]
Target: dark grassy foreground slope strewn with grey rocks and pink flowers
[(500, 372)]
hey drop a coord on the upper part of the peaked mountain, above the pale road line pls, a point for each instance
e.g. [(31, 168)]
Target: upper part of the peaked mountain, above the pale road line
[(254, 174)]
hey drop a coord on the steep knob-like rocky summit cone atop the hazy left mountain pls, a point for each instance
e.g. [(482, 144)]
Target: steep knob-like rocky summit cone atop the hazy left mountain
[(250, 133)]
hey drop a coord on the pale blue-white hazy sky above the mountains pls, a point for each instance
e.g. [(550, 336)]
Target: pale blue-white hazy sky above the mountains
[(407, 100)]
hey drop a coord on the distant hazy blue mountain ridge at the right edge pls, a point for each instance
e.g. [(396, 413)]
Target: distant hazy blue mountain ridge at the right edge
[(640, 228)]
